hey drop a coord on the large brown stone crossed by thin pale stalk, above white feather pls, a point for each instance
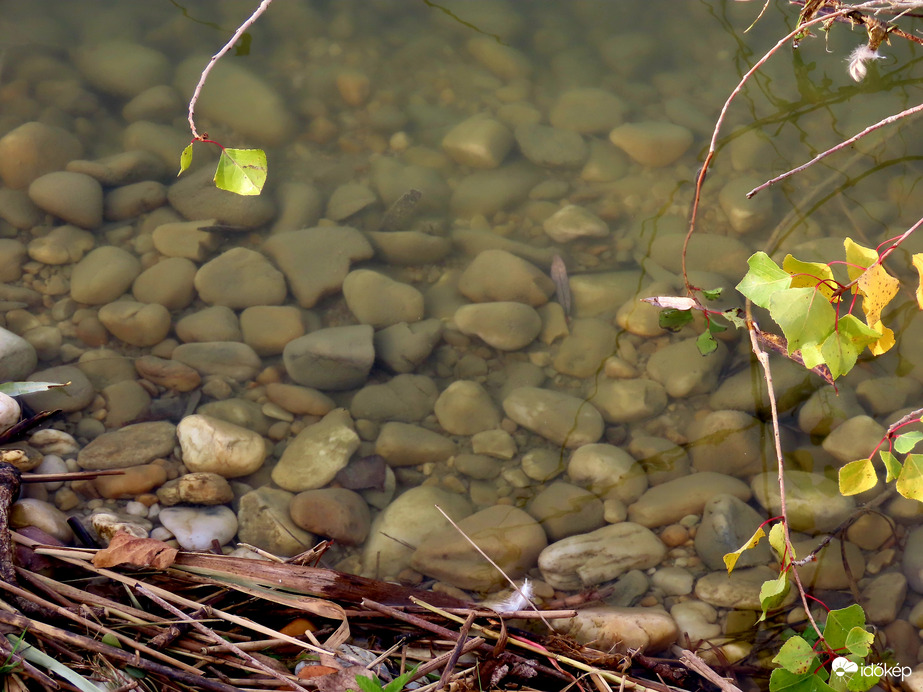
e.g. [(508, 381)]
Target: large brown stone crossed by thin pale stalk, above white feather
[(511, 538)]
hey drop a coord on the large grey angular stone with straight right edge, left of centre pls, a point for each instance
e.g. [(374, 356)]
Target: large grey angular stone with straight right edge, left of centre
[(335, 358)]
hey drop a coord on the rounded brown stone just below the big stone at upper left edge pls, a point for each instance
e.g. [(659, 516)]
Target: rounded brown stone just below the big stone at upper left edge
[(73, 197)]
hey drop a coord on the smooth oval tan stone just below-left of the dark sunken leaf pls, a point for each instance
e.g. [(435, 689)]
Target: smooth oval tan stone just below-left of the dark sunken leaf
[(505, 325)]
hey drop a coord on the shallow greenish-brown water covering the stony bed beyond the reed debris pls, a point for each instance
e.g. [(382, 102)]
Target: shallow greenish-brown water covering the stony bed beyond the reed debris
[(343, 334)]
